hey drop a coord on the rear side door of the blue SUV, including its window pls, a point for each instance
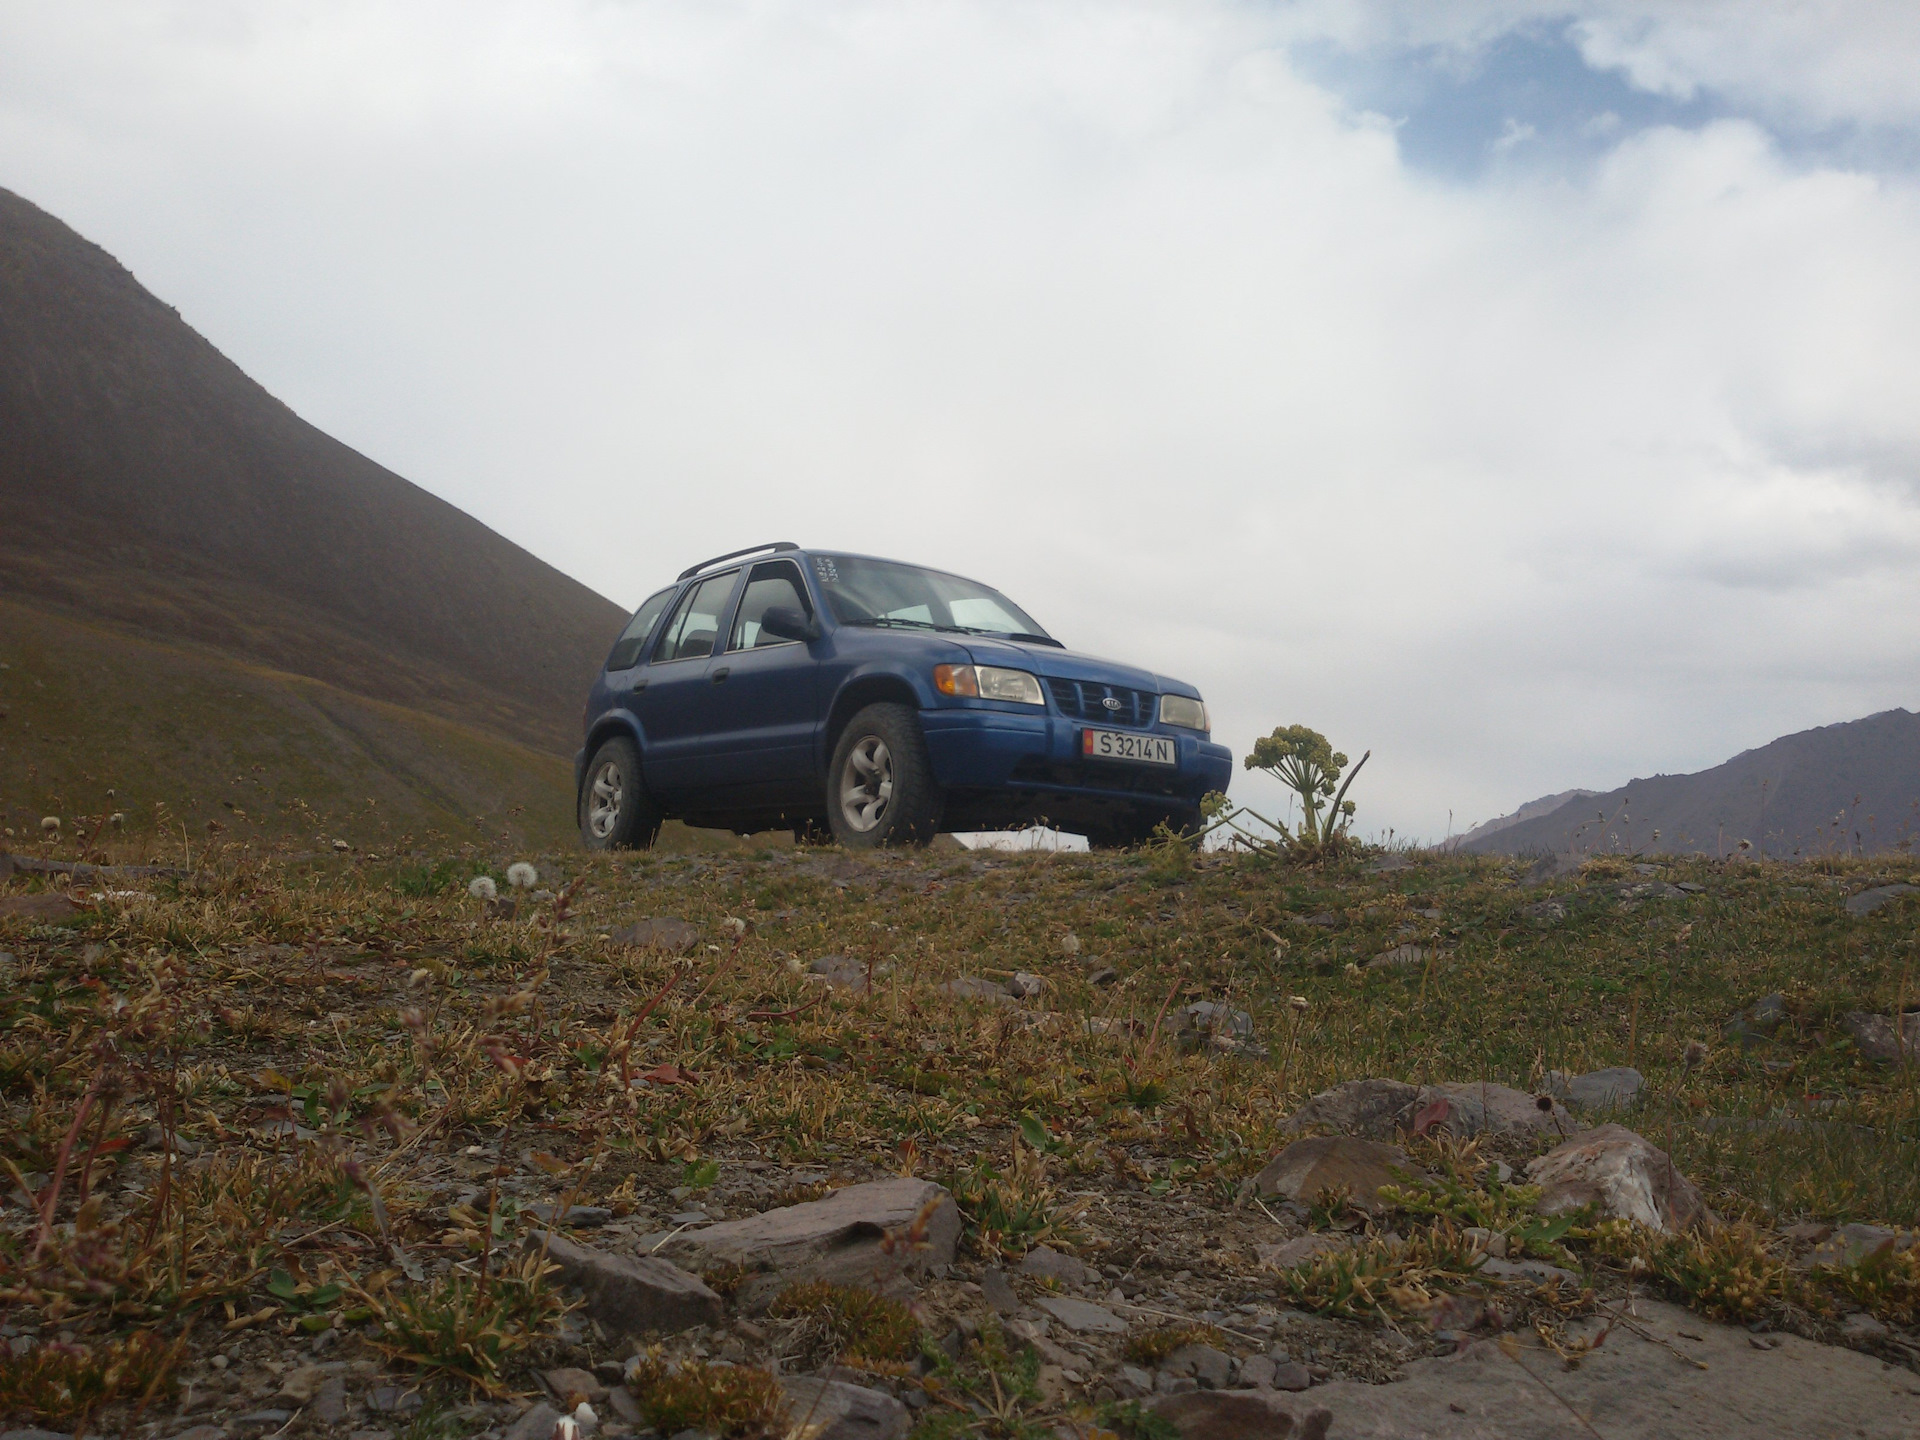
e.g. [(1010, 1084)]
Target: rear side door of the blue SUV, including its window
[(679, 756)]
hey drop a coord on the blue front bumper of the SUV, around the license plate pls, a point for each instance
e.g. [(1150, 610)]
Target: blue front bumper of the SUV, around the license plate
[(990, 750)]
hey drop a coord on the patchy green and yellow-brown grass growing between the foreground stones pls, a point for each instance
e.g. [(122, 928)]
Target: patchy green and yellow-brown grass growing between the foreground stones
[(241, 1088)]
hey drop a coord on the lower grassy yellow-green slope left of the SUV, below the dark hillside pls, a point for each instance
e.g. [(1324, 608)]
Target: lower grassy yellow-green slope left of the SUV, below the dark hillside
[(187, 736)]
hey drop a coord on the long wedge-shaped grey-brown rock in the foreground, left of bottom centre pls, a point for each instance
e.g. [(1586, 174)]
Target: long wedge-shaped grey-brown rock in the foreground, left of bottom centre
[(875, 1236)]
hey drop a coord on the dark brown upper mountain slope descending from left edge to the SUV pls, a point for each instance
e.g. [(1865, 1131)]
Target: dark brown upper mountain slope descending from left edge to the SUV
[(147, 481)]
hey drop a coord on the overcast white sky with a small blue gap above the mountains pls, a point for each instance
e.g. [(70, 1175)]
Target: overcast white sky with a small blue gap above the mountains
[(1524, 393)]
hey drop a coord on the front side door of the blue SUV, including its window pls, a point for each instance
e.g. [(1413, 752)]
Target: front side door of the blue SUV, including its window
[(763, 696)]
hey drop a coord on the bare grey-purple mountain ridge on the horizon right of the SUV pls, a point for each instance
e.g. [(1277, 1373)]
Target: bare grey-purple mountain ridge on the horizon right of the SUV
[(1840, 788)]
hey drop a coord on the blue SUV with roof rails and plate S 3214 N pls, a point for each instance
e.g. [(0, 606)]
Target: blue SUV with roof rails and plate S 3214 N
[(878, 702)]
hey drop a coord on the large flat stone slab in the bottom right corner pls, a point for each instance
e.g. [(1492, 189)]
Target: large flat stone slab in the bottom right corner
[(1633, 1389)]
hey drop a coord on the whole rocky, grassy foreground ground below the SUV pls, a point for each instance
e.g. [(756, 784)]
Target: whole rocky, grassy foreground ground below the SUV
[(1138, 1145)]
